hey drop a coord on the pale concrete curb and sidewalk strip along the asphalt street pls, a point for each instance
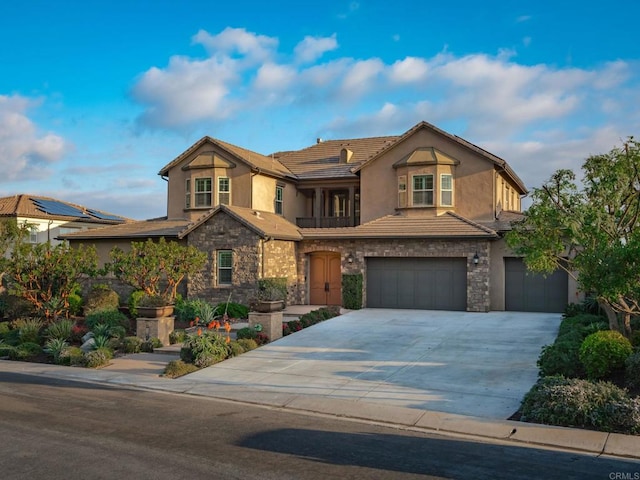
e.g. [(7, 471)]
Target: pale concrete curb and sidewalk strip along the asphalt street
[(587, 441)]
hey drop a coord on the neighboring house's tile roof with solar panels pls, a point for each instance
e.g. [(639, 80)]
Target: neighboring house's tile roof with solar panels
[(30, 206)]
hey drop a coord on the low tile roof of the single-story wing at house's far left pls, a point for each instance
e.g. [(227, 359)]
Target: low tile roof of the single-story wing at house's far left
[(141, 229)]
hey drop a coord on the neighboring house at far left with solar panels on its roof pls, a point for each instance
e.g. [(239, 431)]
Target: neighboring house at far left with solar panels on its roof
[(49, 218)]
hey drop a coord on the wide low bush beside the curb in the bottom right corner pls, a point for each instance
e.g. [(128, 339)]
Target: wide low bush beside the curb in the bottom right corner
[(580, 403)]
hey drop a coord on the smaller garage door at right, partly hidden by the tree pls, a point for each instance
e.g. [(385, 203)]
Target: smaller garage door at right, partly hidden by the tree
[(529, 292)]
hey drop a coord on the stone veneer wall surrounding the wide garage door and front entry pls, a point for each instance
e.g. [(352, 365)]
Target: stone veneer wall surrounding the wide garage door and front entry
[(478, 299)]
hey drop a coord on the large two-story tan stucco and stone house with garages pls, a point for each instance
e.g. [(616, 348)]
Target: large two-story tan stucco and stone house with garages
[(421, 216)]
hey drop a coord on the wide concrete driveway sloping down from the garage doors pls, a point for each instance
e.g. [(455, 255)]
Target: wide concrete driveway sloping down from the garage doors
[(478, 364)]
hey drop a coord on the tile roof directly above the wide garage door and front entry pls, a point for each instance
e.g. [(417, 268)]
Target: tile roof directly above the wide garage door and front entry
[(448, 225)]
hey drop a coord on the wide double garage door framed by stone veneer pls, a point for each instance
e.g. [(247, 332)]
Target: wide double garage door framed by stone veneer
[(420, 283)]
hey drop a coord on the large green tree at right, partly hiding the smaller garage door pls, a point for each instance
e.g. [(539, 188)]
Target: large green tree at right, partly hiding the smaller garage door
[(592, 230)]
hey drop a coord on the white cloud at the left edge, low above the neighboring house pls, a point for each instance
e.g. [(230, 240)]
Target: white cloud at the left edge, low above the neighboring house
[(25, 152)]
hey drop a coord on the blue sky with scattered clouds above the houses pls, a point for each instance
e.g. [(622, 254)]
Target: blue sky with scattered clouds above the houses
[(97, 96)]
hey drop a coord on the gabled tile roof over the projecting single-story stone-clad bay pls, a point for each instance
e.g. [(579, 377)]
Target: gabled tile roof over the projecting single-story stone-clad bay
[(264, 224)]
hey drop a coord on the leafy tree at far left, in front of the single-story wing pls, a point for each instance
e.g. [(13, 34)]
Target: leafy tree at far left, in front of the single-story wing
[(46, 275)]
